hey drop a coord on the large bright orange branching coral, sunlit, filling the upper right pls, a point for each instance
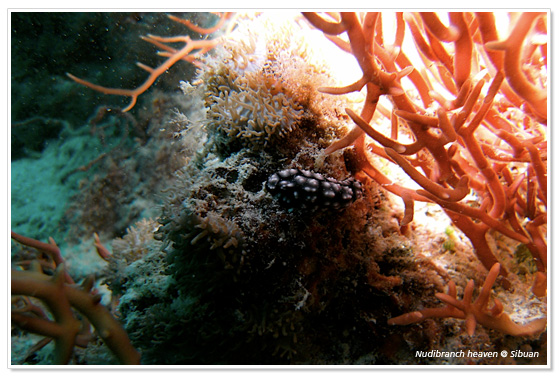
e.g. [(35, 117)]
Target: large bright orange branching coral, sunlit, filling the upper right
[(488, 139)]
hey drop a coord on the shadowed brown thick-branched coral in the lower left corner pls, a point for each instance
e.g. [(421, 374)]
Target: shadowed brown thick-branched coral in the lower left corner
[(61, 296)]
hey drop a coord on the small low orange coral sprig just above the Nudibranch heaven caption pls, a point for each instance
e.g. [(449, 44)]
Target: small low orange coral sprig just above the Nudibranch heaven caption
[(474, 312)]
